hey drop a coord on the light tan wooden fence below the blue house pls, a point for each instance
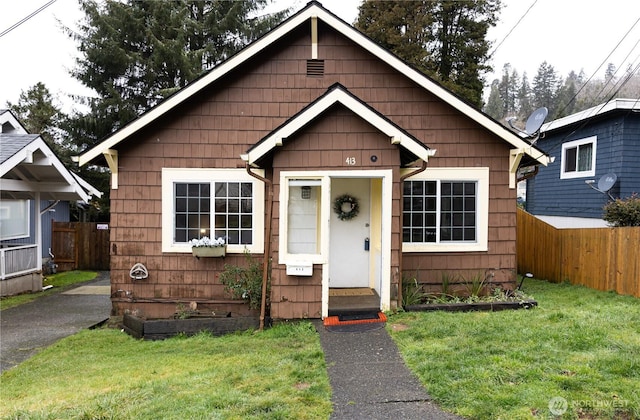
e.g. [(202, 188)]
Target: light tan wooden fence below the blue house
[(602, 258)]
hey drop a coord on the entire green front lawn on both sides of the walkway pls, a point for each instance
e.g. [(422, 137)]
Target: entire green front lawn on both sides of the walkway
[(579, 344)]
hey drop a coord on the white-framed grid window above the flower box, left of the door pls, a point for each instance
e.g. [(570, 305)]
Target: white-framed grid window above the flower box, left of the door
[(212, 203)]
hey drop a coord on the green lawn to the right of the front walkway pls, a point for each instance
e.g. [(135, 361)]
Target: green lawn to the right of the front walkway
[(579, 344)]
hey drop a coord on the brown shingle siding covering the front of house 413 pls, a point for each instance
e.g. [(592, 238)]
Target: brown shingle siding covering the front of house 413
[(223, 121)]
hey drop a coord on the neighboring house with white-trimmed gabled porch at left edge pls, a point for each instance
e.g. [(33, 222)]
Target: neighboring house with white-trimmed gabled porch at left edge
[(29, 170)]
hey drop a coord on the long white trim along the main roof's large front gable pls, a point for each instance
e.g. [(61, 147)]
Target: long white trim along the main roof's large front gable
[(312, 10)]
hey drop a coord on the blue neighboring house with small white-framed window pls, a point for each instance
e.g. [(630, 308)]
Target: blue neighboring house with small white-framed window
[(591, 148)]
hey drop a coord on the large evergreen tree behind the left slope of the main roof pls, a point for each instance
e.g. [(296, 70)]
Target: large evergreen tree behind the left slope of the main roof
[(136, 53)]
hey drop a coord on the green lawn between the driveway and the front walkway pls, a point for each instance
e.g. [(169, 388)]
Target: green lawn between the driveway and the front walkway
[(276, 374)]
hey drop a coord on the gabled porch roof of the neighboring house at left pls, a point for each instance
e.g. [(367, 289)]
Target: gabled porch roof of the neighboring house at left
[(28, 165)]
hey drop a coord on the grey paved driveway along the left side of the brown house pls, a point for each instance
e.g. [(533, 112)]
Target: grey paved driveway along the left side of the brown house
[(28, 328)]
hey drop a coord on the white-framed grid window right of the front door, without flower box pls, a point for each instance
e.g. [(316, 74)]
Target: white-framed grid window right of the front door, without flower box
[(446, 208)]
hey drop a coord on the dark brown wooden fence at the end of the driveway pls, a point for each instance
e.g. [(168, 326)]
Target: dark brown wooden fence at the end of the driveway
[(80, 245)]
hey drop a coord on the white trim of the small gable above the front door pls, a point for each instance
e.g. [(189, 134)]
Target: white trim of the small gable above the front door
[(334, 95)]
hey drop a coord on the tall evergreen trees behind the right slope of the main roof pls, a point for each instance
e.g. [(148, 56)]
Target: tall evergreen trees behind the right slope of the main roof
[(443, 38)]
